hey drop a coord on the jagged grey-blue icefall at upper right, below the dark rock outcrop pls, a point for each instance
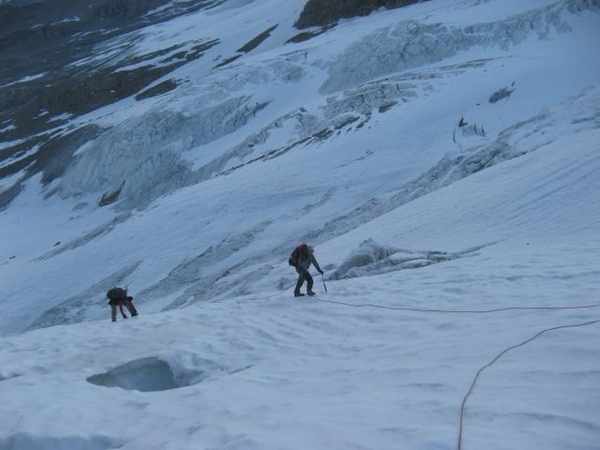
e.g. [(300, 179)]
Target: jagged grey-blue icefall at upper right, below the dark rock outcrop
[(411, 44)]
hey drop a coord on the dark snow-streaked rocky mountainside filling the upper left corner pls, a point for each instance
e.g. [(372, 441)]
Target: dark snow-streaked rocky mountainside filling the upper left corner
[(43, 84)]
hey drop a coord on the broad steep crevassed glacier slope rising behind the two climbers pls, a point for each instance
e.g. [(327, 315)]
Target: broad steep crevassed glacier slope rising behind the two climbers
[(292, 142)]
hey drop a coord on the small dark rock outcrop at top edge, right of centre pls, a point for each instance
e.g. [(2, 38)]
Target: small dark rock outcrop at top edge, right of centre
[(326, 12)]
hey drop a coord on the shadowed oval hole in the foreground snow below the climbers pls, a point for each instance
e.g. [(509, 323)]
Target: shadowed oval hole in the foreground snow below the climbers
[(152, 374)]
